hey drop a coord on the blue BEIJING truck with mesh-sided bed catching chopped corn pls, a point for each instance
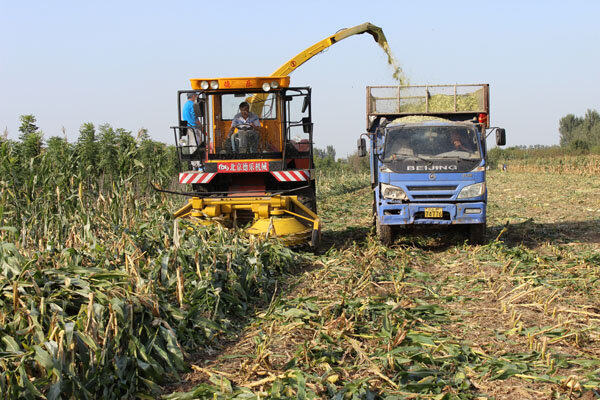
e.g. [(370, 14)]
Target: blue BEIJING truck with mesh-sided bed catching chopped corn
[(427, 150)]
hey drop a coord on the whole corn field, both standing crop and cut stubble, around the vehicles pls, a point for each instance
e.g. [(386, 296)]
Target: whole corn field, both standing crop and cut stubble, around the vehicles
[(104, 295)]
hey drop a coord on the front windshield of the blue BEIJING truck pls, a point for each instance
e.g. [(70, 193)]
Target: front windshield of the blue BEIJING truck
[(431, 142)]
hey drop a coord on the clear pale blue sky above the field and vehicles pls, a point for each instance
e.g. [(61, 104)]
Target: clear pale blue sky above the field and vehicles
[(121, 62)]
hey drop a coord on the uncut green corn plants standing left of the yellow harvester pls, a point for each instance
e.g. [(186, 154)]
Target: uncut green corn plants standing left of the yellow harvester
[(97, 300)]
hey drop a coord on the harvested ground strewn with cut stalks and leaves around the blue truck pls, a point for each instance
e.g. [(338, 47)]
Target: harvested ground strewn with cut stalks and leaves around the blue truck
[(429, 316)]
